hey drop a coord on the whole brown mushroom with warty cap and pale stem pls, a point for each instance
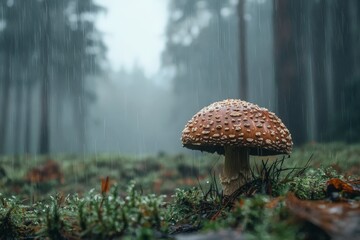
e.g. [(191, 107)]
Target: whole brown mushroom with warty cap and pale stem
[(236, 129)]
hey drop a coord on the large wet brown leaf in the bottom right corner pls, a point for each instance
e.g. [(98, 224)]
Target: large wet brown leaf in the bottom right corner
[(341, 220)]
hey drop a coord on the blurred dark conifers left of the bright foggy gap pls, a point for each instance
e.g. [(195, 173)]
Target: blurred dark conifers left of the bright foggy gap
[(48, 50)]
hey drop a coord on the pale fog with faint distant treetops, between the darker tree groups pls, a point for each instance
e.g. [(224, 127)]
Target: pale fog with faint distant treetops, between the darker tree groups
[(132, 114)]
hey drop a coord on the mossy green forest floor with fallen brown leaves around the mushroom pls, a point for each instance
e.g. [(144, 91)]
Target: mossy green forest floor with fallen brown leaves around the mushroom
[(314, 194)]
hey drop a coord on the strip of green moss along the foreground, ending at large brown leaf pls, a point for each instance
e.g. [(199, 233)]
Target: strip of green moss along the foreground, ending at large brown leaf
[(138, 216)]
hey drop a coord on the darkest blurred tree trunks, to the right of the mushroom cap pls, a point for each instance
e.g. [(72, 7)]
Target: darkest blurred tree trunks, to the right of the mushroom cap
[(317, 59)]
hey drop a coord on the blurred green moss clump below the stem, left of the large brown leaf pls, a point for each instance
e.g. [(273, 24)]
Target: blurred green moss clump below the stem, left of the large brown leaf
[(256, 218)]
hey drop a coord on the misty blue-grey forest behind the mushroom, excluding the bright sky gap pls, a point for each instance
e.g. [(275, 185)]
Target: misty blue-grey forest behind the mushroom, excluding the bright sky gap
[(300, 59)]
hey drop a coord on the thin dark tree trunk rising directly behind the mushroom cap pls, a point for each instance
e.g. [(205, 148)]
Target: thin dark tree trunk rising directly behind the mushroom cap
[(242, 51)]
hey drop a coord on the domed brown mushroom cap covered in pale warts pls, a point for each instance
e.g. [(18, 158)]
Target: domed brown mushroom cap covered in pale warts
[(233, 122)]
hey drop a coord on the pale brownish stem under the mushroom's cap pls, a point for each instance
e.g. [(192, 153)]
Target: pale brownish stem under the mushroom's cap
[(236, 169)]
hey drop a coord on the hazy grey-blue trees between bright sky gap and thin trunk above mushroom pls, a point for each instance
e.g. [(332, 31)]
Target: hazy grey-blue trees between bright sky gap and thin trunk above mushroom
[(201, 51)]
